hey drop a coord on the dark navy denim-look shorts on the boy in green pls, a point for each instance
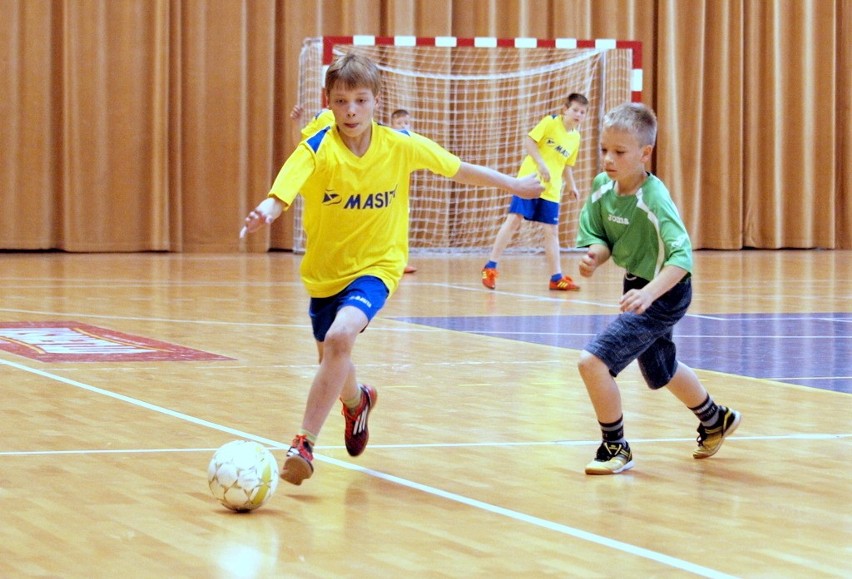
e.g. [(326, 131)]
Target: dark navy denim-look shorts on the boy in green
[(645, 337)]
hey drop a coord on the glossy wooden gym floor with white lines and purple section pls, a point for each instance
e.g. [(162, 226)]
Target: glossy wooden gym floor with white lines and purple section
[(121, 374)]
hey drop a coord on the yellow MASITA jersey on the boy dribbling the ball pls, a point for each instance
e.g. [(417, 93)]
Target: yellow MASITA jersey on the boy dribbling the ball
[(356, 208)]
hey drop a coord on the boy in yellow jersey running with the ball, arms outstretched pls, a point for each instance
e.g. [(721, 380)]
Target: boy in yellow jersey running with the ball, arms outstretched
[(354, 178)]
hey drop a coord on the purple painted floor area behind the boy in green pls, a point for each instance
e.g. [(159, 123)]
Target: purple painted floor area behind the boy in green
[(806, 349)]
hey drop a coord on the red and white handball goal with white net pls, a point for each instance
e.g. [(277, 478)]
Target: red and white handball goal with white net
[(479, 98)]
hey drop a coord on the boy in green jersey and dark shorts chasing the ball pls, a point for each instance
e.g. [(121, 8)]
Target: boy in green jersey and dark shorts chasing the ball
[(630, 217)]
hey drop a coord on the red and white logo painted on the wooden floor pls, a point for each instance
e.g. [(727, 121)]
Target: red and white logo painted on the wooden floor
[(75, 342)]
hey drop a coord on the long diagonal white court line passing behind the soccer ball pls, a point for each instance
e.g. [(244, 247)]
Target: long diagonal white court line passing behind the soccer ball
[(521, 517)]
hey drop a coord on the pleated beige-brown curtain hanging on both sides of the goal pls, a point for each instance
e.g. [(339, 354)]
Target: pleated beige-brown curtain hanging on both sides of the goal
[(155, 125)]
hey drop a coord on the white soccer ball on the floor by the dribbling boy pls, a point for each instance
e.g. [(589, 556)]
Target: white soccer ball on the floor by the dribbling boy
[(242, 475)]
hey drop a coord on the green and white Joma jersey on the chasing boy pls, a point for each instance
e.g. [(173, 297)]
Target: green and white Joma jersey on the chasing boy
[(643, 231)]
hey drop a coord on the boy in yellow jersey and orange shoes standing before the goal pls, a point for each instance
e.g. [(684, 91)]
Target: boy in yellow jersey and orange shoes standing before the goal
[(552, 148)]
